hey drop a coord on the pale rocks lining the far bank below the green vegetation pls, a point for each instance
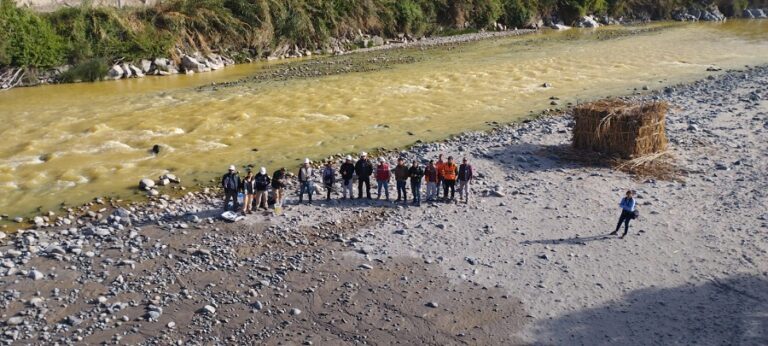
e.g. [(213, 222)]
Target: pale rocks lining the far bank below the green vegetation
[(198, 62)]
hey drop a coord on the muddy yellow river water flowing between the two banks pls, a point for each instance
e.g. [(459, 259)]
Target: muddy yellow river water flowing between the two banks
[(70, 143)]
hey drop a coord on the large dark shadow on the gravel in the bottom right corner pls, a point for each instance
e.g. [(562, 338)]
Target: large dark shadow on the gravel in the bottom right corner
[(732, 311)]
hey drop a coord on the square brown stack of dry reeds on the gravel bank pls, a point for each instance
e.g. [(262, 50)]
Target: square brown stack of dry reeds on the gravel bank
[(617, 127)]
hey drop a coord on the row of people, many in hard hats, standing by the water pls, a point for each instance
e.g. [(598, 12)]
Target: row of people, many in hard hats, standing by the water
[(440, 174)]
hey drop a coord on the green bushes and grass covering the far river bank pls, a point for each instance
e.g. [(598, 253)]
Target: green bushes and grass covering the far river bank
[(89, 38)]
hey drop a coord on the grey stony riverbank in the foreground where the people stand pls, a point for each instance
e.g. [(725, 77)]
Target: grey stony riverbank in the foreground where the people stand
[(526, 262)]
